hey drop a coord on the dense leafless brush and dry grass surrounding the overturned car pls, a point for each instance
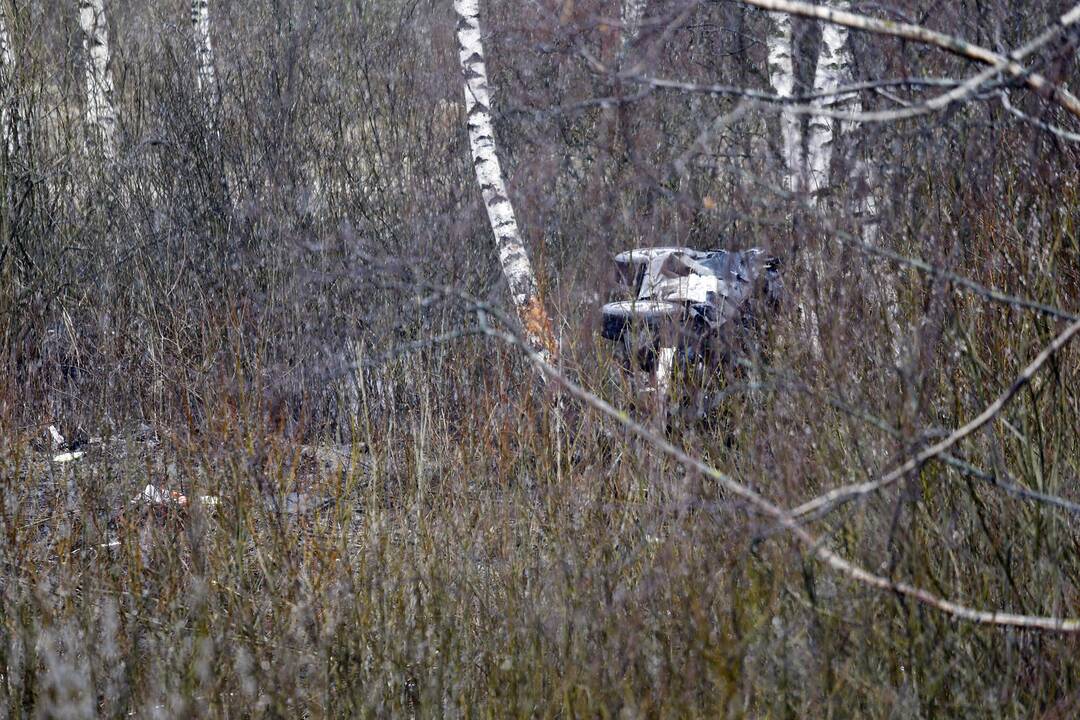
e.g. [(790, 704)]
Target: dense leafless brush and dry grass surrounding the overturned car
[(291, 271)]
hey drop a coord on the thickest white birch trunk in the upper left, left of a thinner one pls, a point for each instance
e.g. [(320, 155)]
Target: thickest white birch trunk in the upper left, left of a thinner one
[(101, 113)]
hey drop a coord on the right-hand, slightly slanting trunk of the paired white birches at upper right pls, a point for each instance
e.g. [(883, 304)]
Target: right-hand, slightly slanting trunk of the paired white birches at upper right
[(834, 64)]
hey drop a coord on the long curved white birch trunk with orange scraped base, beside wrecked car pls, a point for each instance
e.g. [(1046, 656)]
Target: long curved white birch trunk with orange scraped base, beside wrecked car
[(512, 256)]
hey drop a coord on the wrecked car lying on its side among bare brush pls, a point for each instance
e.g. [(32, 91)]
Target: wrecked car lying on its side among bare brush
[(691, 310)]
